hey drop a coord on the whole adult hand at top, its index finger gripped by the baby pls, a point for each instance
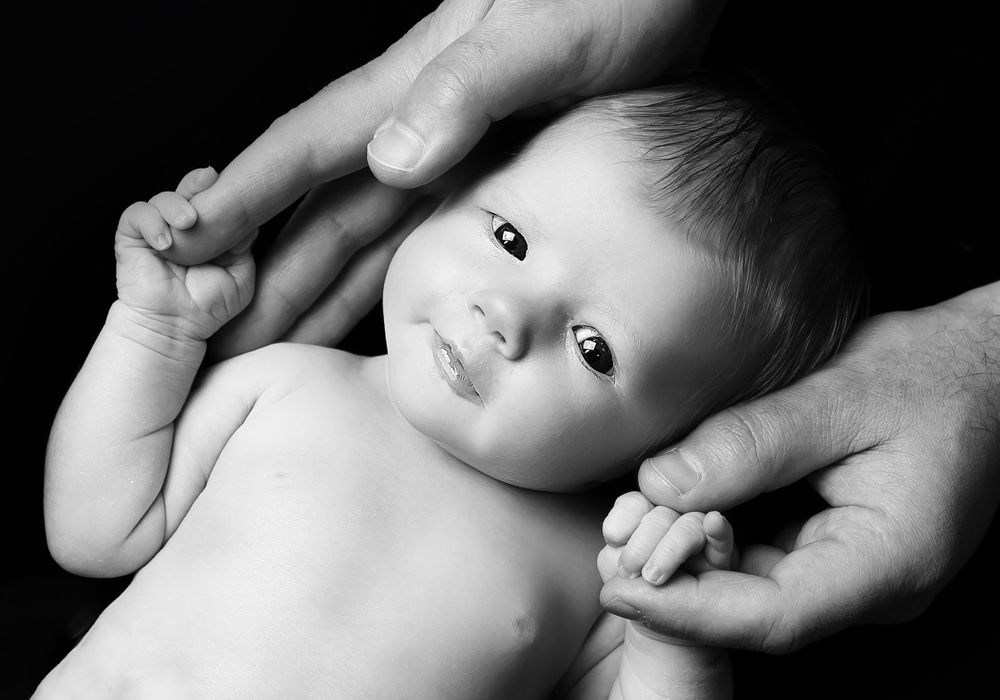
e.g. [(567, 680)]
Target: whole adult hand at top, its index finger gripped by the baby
[(432, 95)]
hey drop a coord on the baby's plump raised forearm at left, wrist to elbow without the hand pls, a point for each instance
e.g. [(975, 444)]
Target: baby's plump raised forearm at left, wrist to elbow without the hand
[(110, 445)]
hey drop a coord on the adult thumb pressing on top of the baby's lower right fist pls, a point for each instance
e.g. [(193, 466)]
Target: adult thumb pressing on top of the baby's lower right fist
[(759, 446)]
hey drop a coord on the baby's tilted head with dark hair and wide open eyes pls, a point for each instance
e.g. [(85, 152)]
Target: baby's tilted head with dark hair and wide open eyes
[(645, 260)]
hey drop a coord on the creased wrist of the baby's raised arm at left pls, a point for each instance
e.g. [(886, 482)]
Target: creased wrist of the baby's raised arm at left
[(173, 337)]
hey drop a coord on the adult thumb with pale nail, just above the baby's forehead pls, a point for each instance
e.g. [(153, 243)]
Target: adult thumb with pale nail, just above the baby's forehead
[(503, 64)]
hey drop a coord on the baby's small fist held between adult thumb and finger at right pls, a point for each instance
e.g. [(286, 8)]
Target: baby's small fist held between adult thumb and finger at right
[(654, 541)]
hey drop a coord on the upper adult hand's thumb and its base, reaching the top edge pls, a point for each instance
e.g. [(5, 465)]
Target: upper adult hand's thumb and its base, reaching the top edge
[(522, 55)]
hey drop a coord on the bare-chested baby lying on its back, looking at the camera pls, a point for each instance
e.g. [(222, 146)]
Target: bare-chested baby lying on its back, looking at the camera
[(304, 522)]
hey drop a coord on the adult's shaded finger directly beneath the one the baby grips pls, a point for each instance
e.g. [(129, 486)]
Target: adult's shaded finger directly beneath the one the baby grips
[(333, 222)]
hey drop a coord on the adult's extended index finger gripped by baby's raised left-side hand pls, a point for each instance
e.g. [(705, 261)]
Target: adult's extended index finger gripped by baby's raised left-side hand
[(320, 140)]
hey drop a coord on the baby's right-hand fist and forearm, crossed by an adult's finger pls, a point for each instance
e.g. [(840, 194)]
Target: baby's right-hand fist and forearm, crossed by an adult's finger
[(655, 543)]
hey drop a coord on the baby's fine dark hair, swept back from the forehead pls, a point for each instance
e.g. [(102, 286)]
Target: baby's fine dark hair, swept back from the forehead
[(733, 174)]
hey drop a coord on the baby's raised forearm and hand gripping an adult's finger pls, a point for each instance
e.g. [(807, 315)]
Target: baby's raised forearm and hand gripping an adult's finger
[(111, 442)]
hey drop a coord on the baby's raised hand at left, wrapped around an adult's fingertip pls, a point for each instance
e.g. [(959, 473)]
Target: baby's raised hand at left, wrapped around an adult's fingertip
[(194, 300)]
